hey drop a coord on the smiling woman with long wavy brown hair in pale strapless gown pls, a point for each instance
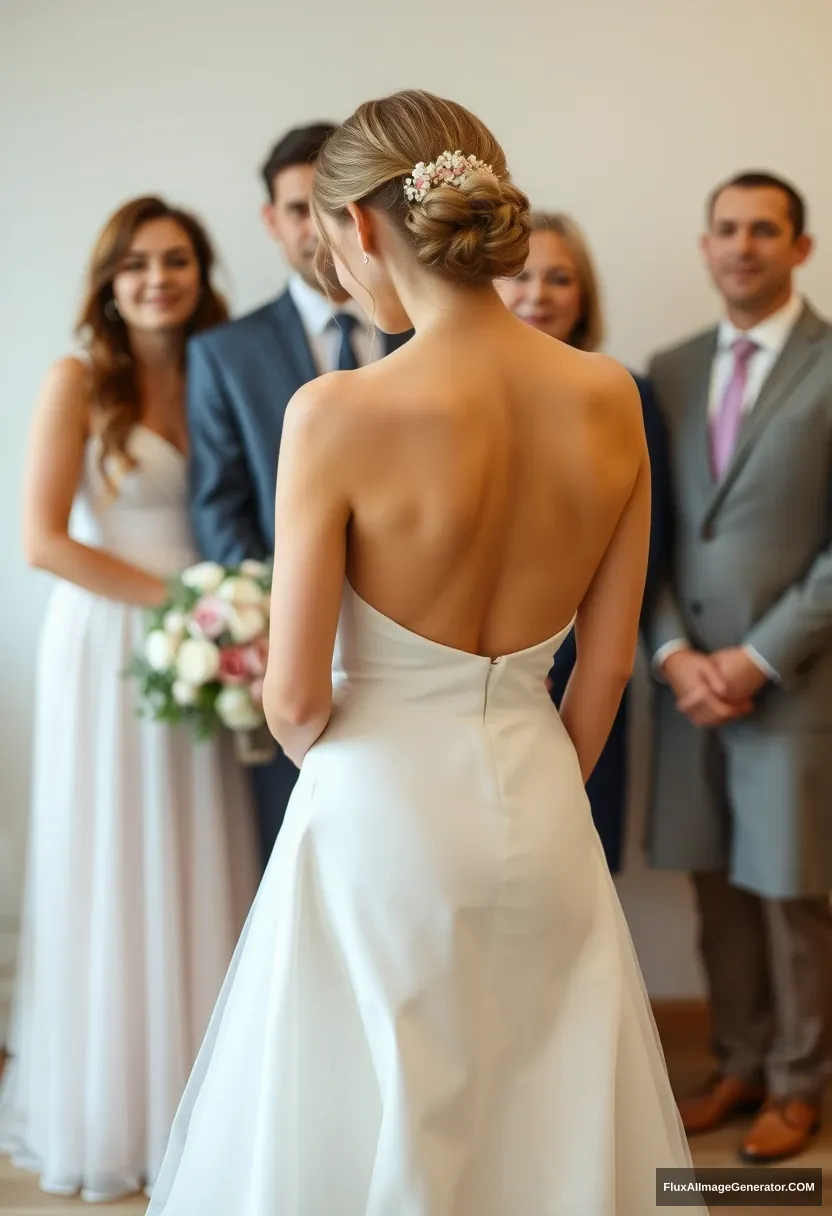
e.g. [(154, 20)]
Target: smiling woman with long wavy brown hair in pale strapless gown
[(142, 855)]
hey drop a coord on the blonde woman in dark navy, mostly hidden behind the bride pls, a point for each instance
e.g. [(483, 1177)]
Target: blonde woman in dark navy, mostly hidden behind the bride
[(559, 294)]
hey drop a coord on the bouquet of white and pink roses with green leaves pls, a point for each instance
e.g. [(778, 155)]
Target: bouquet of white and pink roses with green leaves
[(205, 656)]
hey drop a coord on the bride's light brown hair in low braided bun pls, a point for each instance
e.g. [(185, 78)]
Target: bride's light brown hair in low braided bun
[(473, 233)]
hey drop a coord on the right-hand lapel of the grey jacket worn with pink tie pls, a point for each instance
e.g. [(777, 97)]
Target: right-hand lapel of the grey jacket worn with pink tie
[(796, 359)]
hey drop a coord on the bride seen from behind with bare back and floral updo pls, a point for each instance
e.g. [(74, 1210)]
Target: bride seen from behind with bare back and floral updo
[(435, 1009)]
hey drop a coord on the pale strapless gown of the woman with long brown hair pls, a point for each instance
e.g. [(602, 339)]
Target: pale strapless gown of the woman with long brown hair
[(142, 868)]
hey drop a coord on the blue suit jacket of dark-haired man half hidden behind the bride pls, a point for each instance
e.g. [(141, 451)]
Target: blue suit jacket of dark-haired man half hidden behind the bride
[(241, 376)]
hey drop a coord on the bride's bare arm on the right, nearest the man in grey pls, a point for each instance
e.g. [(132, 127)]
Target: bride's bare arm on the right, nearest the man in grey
[(608, 622)]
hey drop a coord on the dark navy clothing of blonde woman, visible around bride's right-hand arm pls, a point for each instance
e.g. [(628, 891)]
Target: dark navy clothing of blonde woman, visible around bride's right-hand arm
[(608, 785)]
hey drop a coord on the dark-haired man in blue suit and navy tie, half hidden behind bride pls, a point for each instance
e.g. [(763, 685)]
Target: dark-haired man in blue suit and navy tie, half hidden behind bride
[(241, 376)]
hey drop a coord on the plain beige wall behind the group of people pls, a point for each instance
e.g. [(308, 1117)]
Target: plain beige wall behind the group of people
[(623, 111)]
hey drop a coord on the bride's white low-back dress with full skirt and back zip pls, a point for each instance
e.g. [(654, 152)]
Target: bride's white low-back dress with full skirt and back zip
[(435, 1009)]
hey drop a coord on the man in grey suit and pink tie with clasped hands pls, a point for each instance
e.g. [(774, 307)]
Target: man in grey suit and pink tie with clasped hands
[(743, 641)]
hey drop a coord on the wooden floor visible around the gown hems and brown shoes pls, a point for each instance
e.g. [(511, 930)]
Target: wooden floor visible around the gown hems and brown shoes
[(684, 1035)]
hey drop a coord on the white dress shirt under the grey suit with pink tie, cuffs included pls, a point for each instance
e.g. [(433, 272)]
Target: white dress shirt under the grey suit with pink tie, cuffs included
[(771, 336)]
